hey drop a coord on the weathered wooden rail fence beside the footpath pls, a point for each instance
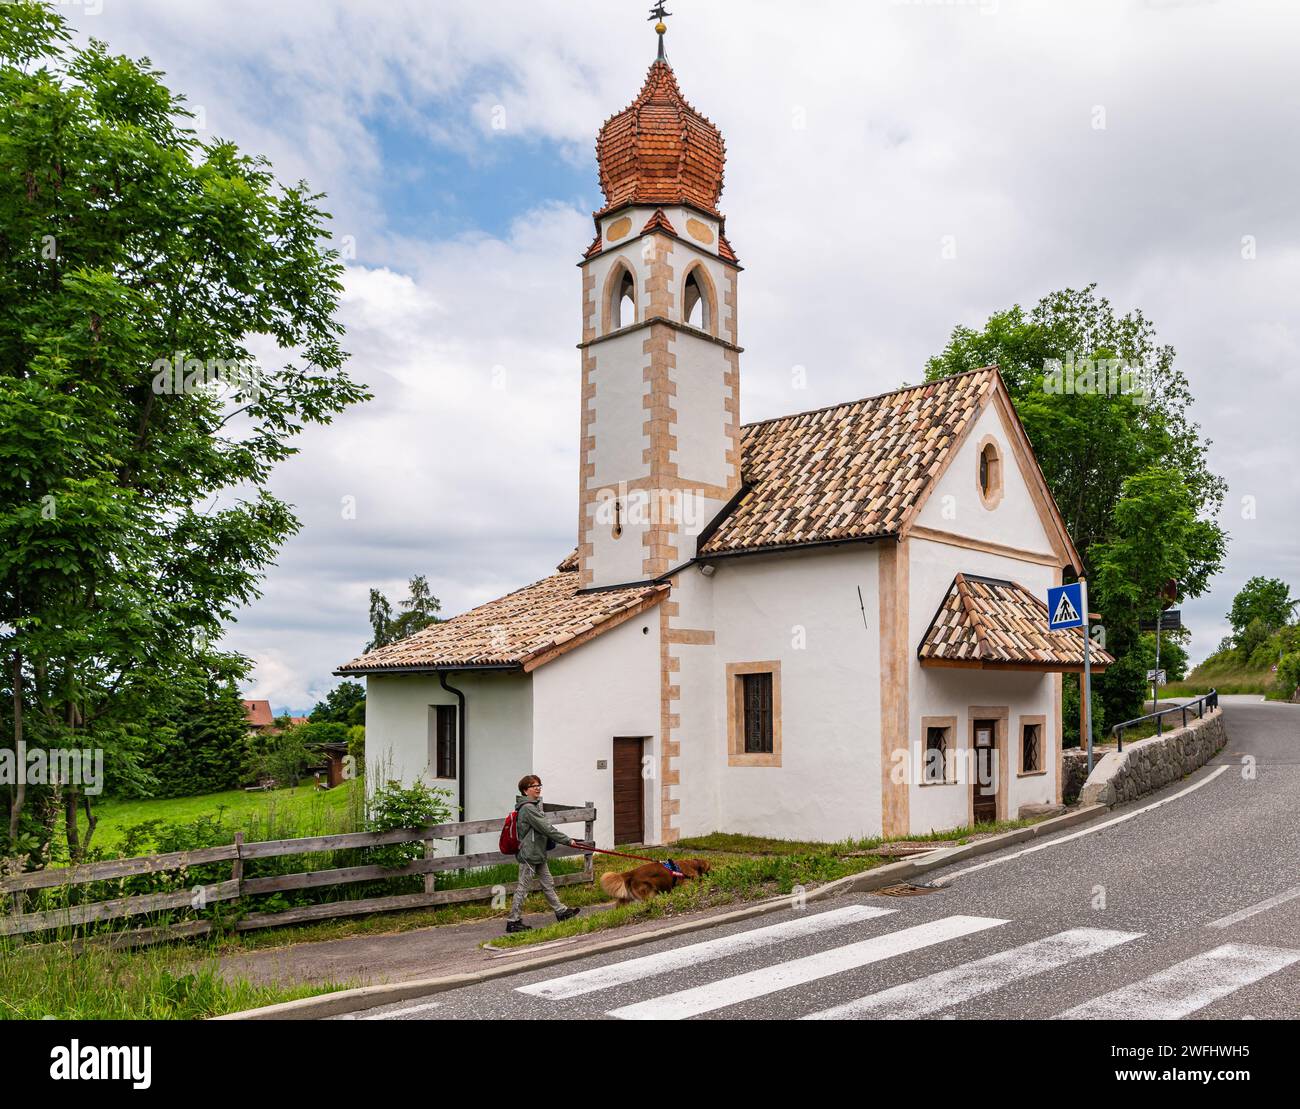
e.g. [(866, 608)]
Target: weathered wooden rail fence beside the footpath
[(19, 921)]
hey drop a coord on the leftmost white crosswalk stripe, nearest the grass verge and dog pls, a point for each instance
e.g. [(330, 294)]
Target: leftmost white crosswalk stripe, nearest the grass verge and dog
[(692, 955)]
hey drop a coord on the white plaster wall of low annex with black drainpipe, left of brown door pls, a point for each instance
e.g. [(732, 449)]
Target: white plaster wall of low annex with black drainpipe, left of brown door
[(499, 742)]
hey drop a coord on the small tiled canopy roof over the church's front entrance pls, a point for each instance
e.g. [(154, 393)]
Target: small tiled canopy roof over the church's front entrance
[(989, 622)]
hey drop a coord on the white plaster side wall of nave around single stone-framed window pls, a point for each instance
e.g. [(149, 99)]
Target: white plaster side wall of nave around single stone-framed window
[(829, 783)]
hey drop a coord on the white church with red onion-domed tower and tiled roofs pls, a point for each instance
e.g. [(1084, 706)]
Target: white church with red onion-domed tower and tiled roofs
[(824, 626)]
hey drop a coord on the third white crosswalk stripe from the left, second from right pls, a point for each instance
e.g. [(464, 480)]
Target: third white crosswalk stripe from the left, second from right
[(952, 987)]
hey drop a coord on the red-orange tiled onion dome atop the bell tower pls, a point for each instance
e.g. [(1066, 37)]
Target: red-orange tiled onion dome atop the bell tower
[(660, 150)]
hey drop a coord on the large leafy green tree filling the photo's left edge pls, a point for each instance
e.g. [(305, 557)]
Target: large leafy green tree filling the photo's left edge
[(138, 268)]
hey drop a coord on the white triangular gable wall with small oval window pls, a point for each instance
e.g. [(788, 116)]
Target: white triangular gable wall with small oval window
[(955, 505)]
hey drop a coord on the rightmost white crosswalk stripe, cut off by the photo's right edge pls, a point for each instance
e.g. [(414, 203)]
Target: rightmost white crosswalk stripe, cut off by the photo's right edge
[(1186, 986)]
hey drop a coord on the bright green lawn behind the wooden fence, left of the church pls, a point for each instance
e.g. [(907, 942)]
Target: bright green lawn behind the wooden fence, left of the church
[(304, 812)]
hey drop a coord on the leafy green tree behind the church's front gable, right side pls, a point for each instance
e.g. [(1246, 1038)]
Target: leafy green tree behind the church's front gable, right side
[(1110, 456)]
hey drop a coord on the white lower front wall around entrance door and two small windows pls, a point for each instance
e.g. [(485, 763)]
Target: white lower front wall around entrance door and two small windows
[(950, 692)]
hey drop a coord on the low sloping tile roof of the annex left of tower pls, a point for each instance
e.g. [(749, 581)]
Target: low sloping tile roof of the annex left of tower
[(522, 630)]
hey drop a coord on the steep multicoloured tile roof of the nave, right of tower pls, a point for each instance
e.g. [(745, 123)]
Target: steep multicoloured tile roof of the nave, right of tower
[(848, 473)]
